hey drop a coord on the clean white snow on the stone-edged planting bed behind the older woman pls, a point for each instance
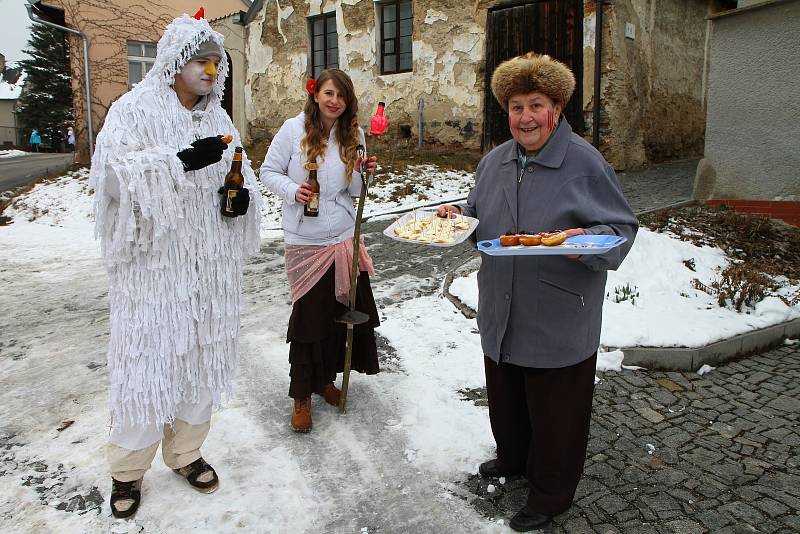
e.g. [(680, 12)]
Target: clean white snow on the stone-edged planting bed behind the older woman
[(664, 309)]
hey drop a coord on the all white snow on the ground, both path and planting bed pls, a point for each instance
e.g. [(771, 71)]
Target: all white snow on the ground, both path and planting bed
[(389, 463)]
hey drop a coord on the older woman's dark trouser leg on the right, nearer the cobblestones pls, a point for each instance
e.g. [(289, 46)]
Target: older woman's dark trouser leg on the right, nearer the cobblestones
[(560, 408)]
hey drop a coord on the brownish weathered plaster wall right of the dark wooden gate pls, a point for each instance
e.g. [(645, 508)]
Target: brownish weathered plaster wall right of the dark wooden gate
[(651, 87)]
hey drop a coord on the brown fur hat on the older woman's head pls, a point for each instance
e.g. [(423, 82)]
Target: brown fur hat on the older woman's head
[(532, 72)]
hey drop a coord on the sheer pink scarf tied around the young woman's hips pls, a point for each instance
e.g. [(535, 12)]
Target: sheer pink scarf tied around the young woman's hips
[(306, 264)]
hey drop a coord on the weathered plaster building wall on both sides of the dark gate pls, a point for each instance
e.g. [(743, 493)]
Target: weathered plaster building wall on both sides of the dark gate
[(651, 86)]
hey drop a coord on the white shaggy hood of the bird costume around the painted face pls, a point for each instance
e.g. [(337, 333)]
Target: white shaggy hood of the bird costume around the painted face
[(180, 43)]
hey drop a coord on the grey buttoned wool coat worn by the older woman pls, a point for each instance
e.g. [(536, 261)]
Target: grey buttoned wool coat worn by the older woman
[(546, 311)]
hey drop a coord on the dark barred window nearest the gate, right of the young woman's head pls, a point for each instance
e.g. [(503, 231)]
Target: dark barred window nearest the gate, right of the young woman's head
[(396, 22)]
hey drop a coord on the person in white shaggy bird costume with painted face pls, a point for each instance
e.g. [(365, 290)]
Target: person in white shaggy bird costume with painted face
[(174, 262)]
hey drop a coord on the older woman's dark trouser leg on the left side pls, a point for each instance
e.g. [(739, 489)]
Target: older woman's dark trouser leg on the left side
[(508, 413)]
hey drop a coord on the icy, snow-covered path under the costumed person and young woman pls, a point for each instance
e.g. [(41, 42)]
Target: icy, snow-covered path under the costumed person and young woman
[(376, 469)]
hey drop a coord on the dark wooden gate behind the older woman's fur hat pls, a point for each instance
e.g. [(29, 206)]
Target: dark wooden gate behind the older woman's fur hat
[(553, 27)]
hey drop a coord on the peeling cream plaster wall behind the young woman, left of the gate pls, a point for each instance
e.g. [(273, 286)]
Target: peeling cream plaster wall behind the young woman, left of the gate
[(448, 55)]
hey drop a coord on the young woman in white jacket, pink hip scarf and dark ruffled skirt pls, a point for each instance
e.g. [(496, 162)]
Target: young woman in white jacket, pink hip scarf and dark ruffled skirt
[(319, 250)]
